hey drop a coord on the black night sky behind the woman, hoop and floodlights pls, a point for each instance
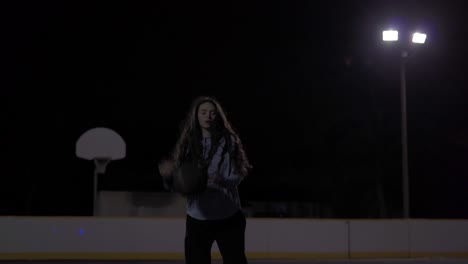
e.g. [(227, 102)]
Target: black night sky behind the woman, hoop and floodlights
[(312, 90)]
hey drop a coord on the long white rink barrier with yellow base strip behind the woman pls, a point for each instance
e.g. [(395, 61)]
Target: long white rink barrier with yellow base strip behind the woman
[(266, 238)]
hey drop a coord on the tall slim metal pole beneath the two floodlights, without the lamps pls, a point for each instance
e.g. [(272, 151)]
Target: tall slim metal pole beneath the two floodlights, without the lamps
[(404, 138)]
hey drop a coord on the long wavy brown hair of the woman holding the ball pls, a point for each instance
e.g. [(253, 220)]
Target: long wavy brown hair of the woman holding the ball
[(189, 142)]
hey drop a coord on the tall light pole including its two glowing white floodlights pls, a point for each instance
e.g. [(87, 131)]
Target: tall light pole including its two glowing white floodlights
[(418, 38)]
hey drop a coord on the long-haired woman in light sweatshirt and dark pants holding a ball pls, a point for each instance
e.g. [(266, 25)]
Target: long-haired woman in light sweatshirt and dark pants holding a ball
[(208, 139)]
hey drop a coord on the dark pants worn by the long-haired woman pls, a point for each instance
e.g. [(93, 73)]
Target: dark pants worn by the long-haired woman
[(228, 233)]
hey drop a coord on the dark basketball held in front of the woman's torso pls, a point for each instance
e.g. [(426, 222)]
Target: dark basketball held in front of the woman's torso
[(189, 179)]
